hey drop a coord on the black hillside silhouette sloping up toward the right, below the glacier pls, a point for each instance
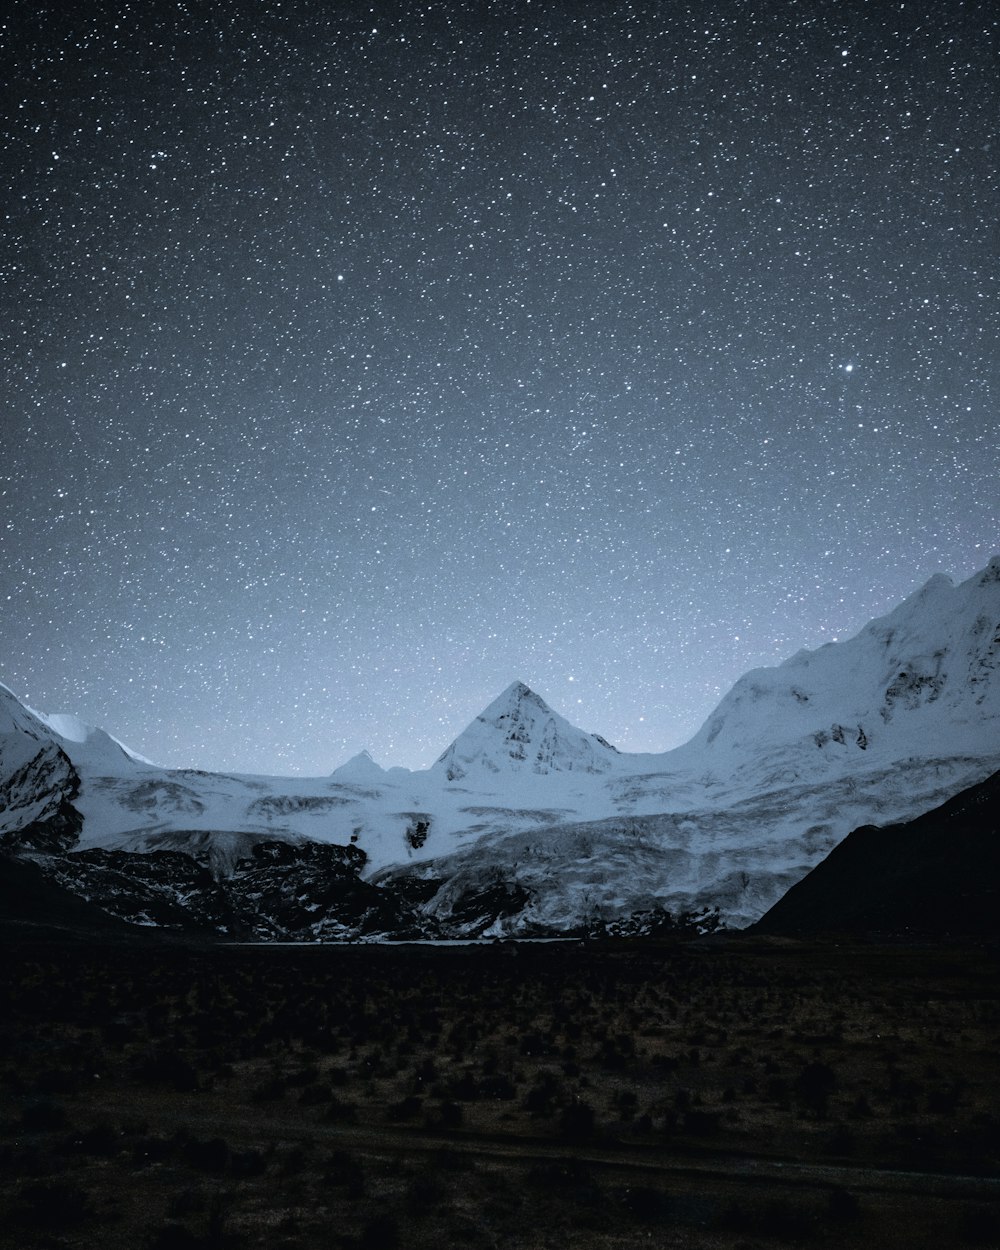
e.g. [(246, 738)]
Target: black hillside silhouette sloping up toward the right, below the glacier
[(936, 876)]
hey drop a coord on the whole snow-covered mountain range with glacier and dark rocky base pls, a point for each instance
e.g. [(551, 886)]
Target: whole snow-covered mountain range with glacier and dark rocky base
[(529, 824)]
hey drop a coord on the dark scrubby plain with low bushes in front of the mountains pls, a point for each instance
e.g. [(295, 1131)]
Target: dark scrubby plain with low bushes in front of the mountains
[(727, 1093)]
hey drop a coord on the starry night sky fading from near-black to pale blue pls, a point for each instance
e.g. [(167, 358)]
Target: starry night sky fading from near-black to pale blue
[(359, 359)]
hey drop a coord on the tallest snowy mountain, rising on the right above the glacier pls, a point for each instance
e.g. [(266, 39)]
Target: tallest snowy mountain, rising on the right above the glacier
[(923, 678)]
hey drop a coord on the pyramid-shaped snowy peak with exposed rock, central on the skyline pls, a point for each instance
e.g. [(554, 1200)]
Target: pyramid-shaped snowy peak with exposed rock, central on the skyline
[(521, 734)]
